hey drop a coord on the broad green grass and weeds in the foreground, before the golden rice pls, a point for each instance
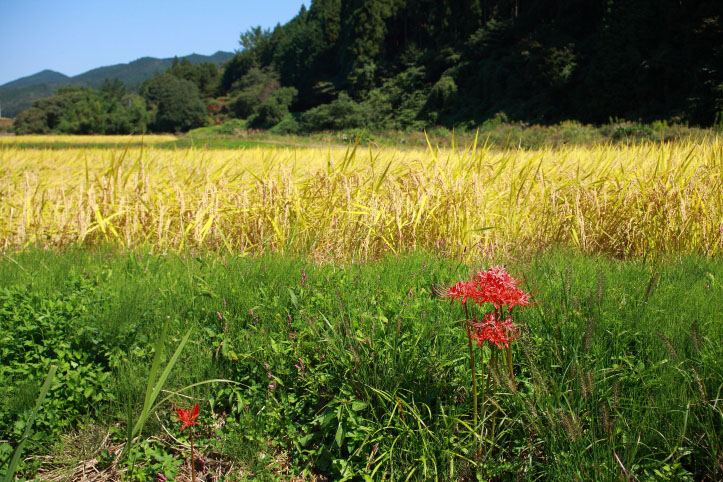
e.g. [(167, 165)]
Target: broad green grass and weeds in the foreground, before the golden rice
[(617, 376)]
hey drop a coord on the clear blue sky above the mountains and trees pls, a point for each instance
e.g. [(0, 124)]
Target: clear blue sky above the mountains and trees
[(74, 36)]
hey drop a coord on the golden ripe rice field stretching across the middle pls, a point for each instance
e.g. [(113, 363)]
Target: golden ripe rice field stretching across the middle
[(363, 203)]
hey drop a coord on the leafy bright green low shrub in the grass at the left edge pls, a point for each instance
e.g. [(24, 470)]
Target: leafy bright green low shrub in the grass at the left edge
[(36, 332)]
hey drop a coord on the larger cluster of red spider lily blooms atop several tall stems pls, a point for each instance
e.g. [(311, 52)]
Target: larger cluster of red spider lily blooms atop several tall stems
[(497, 287)]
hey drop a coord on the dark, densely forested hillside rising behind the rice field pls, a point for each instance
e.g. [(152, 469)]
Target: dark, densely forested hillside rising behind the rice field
[(412, 64)]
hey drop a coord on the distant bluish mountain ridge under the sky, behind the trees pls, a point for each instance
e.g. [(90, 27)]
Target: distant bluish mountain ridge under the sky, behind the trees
[(19, 94)]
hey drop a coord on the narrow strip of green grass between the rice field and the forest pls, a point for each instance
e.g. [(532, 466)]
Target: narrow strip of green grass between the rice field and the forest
[(496, 132)]
